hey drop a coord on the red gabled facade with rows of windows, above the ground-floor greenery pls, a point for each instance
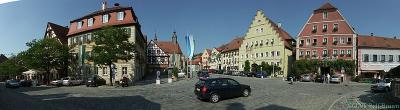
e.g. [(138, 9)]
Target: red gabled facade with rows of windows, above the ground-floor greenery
[(326, 36)]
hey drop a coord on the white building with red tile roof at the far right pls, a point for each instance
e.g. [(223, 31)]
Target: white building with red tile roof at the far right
[(377, 55)]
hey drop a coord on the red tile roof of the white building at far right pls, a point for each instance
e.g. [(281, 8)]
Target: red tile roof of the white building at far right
[(365, 41)]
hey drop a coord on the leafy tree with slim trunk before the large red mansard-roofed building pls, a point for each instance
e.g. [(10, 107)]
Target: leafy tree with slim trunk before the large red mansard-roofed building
[(112, 44)]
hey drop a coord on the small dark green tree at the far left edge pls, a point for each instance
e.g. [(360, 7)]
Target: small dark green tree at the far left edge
[(11, 67)]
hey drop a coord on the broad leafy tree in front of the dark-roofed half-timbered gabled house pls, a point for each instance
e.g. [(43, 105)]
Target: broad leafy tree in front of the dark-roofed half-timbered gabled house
[(45, 55)]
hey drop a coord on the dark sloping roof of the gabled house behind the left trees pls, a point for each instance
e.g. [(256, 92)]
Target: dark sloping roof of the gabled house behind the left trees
[(60, 31)]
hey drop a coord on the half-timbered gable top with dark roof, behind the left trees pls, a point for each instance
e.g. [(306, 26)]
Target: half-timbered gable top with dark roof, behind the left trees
[(57, 31)]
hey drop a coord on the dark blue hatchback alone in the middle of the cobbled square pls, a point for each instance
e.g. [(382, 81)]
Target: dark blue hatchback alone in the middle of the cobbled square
[(215, 89)]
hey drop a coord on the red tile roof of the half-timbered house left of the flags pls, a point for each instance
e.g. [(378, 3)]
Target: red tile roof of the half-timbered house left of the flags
[(169, 47)]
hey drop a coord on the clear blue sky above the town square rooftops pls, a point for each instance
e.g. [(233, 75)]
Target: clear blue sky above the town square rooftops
[(212, 22)]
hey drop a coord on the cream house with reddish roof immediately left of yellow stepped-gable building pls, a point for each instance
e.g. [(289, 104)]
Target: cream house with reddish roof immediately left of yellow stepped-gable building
[(230, 55)]
